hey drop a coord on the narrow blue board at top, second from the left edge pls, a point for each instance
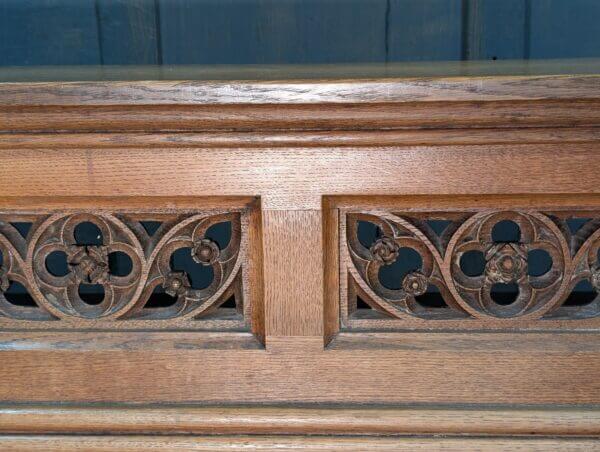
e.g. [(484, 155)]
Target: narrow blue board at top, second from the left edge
[(128, 31)]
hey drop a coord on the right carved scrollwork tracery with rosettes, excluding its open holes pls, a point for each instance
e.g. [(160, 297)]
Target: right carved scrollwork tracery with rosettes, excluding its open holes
[(573, 256)]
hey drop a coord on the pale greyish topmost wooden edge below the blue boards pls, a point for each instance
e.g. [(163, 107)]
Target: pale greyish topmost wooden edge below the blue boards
[(346, 91)]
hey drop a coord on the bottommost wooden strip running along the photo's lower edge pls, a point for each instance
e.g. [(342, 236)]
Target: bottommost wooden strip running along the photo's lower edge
[(303, 443)]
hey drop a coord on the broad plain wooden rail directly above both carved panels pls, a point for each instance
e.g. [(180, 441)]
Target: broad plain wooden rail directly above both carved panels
[(295, 178)]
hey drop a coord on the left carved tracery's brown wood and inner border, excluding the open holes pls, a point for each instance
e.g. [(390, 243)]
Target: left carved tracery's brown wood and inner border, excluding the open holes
[(59, 306)]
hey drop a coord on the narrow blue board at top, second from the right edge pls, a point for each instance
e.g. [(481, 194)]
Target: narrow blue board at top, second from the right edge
[(496, 29)]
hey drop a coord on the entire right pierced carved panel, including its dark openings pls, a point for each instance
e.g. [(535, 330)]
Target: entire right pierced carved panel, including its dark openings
[(464, 270)]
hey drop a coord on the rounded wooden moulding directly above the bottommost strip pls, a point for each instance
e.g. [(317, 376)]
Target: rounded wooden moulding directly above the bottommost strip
[(131, 420)]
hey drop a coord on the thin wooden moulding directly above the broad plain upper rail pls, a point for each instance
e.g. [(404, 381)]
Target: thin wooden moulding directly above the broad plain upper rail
[(439, 137)]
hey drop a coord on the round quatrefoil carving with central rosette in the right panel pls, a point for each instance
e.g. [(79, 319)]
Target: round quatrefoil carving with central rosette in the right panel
[(507, 262)]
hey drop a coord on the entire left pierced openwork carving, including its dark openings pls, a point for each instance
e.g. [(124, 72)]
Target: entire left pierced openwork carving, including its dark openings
[(152, 292)]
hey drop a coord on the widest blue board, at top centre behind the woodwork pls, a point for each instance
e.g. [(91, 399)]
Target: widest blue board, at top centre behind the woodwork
[(272, 31)]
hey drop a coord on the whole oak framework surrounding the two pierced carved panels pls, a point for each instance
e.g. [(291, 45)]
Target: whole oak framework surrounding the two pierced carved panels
[(311, 151)]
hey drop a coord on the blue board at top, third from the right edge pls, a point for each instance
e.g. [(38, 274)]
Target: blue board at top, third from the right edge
[(425, 30)]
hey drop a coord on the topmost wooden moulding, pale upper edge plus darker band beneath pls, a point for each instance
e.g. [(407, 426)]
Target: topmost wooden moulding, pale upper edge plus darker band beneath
[(353, 105)]
